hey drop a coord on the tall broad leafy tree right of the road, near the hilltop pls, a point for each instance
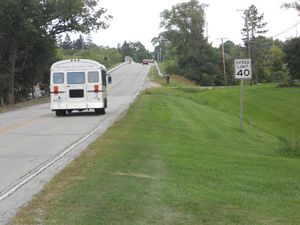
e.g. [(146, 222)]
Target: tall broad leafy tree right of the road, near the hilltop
[(188, 49)]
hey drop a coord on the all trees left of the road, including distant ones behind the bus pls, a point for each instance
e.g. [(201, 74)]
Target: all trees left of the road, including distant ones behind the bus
[(35, 33)]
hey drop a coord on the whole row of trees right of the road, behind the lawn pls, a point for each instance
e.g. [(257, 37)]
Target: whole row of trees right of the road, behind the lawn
[(185, 50)]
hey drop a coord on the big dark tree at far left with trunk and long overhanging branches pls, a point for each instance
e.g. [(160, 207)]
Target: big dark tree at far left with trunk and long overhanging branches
[(23, 22)]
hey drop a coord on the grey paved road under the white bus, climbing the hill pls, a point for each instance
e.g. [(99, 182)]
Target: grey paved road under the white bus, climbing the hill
[(35, 144)]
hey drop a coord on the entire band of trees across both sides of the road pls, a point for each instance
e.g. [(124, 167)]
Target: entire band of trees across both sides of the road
[(30, 41)]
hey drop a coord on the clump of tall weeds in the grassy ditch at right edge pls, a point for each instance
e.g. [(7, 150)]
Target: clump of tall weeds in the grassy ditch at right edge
[(290, 147)]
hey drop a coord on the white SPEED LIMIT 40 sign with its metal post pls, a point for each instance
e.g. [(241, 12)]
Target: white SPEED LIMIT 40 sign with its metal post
[(242, 71)]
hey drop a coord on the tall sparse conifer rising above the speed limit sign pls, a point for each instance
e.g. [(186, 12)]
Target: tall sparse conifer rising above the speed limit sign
[(253, 28)]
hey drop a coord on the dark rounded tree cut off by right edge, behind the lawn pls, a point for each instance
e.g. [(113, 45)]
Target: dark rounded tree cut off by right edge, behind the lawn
[(292, 57)]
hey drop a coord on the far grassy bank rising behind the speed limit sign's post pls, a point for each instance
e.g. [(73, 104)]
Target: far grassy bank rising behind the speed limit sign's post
[(274, 110)]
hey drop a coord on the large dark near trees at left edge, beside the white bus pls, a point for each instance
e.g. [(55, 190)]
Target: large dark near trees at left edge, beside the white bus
[(28, 31)]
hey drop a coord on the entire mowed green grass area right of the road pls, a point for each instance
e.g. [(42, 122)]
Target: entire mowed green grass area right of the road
[(178, 157)]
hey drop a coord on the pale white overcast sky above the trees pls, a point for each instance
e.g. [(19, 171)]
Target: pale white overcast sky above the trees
[(138, 20)]
